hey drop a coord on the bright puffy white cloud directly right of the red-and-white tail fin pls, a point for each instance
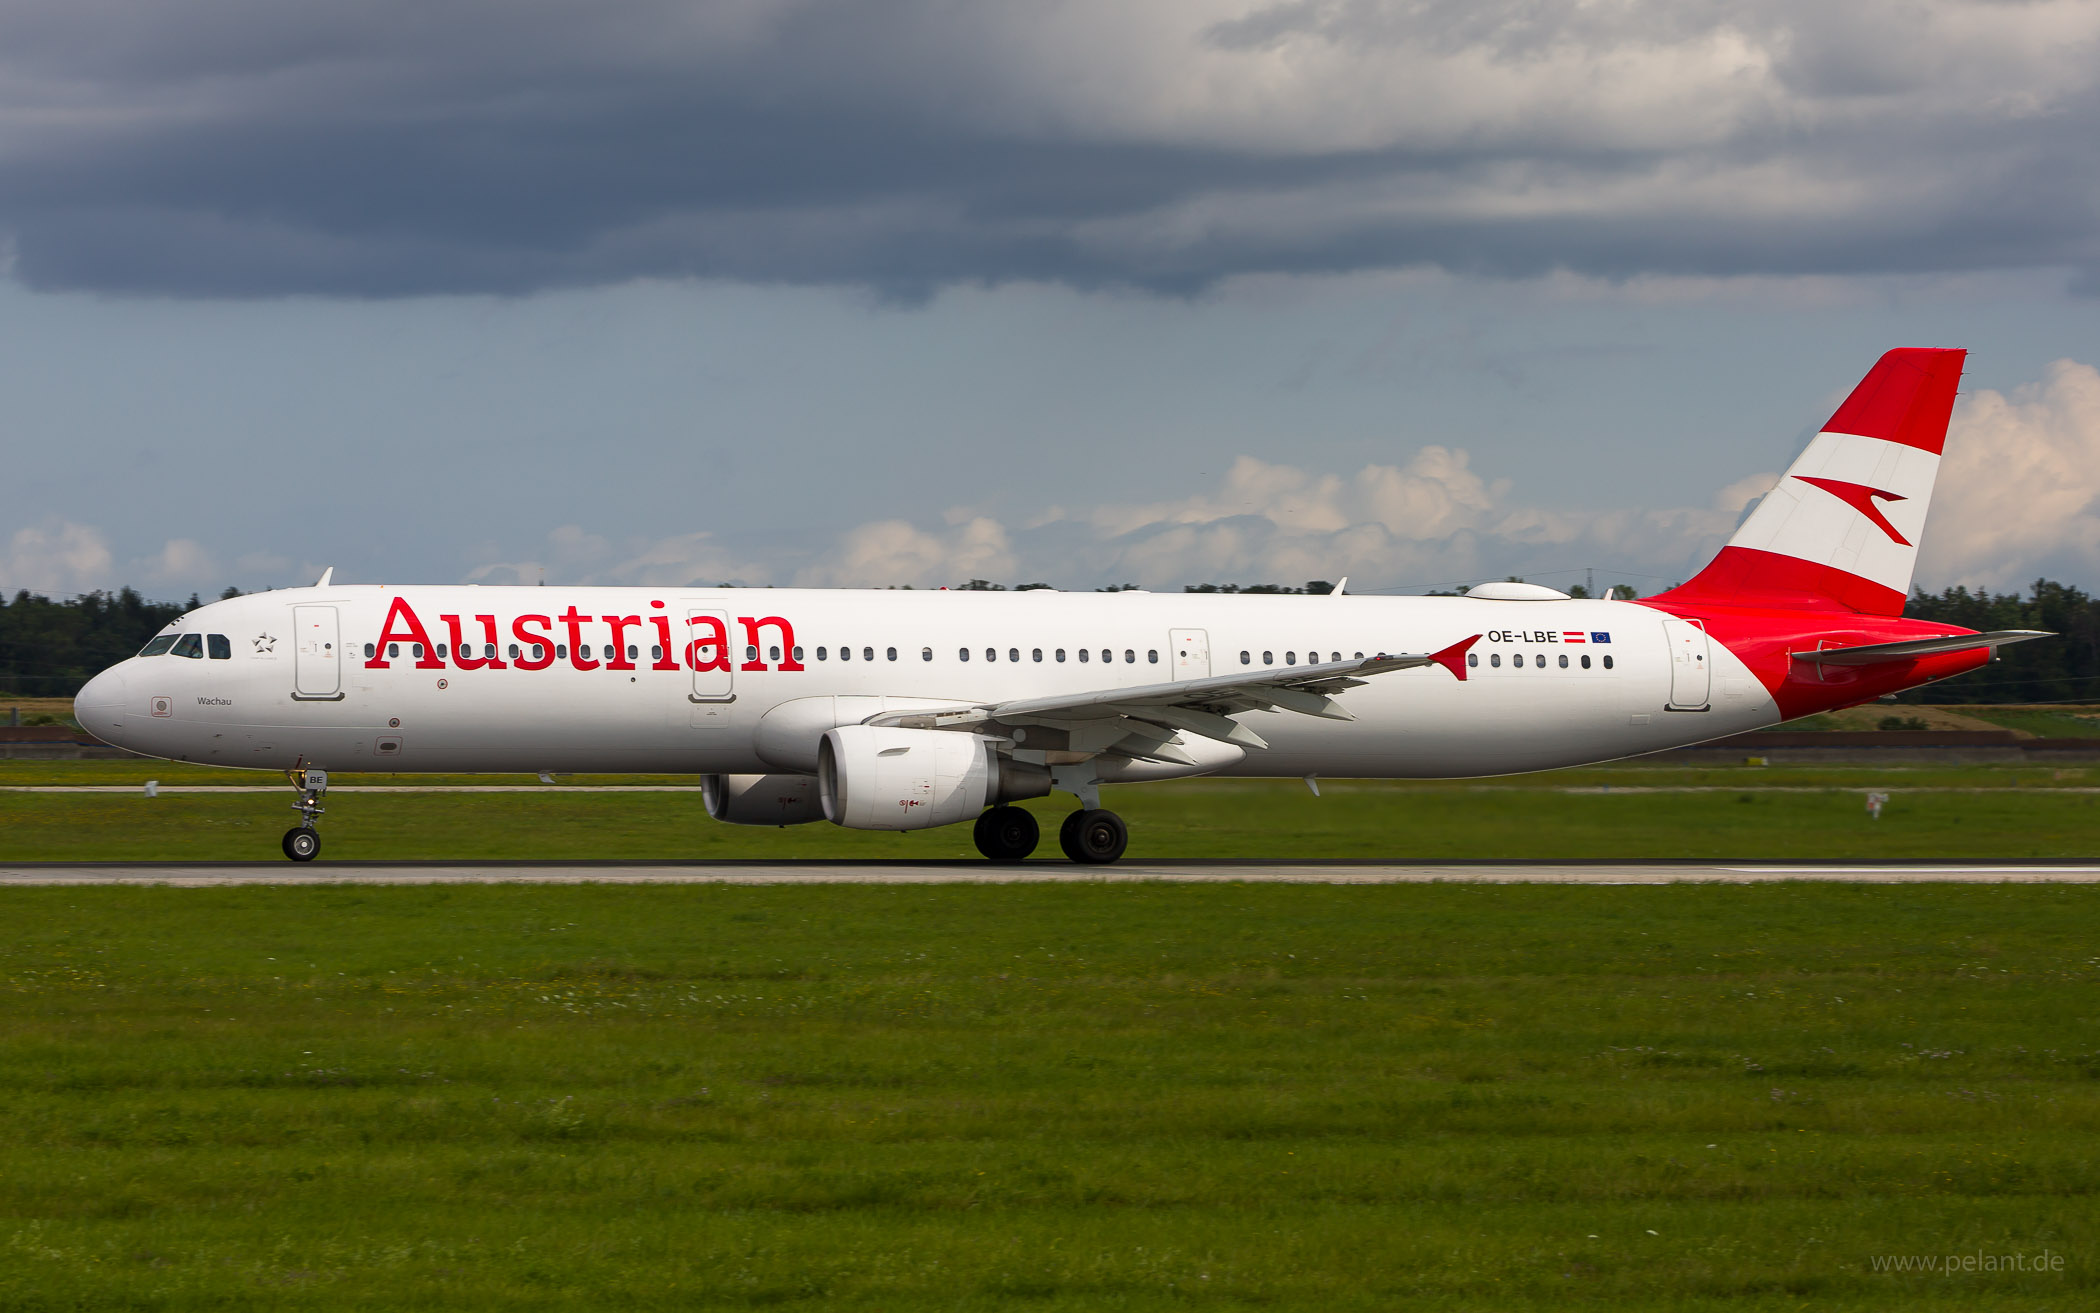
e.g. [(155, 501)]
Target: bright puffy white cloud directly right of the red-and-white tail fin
[(2019, 491)]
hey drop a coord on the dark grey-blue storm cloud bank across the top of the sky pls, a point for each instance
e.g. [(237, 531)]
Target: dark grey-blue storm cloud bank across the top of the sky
[(234, 148)]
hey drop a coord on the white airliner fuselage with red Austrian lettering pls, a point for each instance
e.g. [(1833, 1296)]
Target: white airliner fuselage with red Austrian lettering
[(297, 684)]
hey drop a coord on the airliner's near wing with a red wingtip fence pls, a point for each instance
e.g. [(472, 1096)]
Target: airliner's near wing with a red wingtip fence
[(1143, 722)]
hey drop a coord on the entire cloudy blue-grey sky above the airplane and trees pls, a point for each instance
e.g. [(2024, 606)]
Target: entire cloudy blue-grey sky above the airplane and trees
[(902, 293)]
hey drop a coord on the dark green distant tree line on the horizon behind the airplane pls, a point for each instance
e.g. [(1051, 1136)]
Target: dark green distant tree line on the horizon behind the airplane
[(51, 648)]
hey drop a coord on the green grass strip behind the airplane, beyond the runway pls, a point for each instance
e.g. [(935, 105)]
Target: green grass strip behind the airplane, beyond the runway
[(1746, 814)]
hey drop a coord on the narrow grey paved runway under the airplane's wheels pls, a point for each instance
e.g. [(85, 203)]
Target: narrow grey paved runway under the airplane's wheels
[(1026, 873)]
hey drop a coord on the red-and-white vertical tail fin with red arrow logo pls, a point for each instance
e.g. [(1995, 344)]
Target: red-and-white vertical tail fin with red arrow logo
[(1841, 530)]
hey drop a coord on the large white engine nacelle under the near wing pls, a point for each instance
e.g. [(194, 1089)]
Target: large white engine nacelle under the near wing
[(879, 778)]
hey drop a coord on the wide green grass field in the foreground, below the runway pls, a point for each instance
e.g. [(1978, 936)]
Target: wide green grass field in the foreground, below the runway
[(1045, 1098)]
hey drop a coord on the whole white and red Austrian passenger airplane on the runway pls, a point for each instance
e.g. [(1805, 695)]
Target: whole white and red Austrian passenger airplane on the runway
[(919, 709)]
